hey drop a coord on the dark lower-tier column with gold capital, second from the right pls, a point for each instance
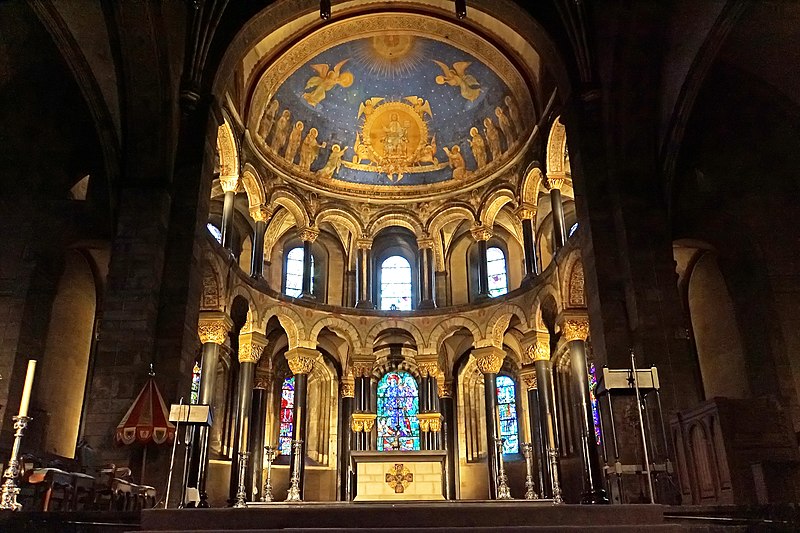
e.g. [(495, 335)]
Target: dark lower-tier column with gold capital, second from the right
[(540, 354)]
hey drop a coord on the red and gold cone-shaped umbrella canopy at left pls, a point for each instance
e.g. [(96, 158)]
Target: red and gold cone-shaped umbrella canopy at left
[(147, 420)]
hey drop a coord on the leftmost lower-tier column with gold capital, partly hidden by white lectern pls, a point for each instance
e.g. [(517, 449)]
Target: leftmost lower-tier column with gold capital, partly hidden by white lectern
[(213, 328)]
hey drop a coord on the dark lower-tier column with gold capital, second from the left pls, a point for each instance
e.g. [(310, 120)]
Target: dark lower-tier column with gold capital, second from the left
[(251, 345)]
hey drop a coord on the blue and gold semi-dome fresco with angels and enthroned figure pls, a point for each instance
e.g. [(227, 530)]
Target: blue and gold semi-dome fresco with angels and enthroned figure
[(379, 104)]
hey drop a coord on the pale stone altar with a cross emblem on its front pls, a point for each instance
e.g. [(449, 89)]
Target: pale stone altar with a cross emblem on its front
[(398, 475)]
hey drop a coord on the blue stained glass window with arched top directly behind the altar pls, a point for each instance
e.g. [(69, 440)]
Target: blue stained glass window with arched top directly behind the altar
[(398, 405)]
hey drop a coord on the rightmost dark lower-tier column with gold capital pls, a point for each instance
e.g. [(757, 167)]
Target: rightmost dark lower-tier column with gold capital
[(575, 328)]
